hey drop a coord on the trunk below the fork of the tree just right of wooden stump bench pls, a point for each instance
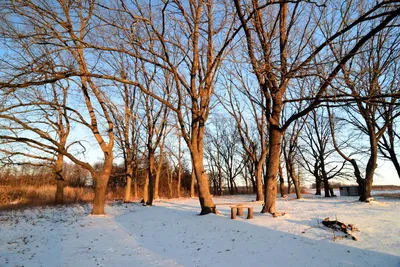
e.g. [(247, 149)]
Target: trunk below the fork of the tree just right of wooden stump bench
[(273, 162)]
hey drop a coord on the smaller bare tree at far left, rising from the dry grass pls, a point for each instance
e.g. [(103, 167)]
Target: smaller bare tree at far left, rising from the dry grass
[(42, 112)]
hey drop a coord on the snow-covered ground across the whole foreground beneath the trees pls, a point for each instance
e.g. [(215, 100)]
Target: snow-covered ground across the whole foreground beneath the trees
[(172, 234)]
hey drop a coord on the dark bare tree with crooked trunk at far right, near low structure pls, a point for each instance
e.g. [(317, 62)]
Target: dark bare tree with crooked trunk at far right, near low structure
[(369, 75)]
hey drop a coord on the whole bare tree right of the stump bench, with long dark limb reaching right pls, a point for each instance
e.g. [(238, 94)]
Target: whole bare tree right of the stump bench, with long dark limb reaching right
[(282, 49)]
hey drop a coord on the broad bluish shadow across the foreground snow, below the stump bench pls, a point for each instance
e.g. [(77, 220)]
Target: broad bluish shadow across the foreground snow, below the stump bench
[(219, 241)]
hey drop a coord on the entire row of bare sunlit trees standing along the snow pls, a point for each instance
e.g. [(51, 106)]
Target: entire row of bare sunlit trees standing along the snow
[(133, 70)]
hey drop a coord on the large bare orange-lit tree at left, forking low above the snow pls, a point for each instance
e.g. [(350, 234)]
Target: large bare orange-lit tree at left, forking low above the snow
[(63, 27)]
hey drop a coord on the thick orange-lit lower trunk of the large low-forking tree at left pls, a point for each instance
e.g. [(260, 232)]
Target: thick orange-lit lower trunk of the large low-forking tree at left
[(100, 189)]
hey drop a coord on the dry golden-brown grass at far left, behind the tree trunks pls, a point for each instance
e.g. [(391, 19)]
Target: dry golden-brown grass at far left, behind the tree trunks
[(25, 195)]
